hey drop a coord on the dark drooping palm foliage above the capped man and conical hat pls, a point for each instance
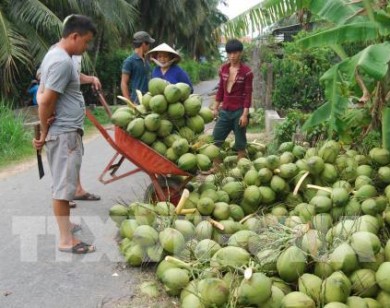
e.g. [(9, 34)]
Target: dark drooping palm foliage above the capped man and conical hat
[(183, 24)]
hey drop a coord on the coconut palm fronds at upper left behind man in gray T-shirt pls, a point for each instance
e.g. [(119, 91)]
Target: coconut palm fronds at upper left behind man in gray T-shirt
[(29, 27)]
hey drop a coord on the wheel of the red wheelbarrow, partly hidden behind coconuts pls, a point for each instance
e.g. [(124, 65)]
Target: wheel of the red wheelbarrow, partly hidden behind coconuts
[(171, 187)]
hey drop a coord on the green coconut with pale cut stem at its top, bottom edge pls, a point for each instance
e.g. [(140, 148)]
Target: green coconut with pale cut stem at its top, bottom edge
[(255, 290)]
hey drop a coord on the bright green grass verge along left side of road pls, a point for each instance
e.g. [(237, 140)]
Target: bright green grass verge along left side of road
[(16, 138)]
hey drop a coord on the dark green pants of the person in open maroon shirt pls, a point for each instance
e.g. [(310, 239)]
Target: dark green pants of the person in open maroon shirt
[(230, 121)]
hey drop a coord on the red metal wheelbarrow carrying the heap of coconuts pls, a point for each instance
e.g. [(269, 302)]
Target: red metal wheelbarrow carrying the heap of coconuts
[(167, 179)]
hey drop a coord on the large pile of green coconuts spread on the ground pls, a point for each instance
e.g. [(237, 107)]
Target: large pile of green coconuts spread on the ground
[(305, 227)]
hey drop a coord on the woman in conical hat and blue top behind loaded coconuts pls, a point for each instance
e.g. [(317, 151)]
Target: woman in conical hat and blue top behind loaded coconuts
[(166, 59)]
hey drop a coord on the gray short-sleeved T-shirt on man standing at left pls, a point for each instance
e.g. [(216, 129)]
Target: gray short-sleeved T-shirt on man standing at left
[(58, 73)]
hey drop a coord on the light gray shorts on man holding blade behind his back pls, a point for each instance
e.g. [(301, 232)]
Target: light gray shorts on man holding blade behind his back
[(64, 155)]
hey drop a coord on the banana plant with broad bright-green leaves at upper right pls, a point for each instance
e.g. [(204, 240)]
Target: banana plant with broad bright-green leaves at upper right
[(360, 79)]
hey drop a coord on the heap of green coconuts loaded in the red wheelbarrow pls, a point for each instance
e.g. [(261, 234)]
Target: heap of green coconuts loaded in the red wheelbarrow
[(171, 121)]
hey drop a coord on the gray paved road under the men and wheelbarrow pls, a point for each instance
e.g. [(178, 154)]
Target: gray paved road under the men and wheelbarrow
[(32, 272)]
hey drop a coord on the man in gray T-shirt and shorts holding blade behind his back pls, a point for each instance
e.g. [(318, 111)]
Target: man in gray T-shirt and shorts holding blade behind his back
[(59, 93)]
